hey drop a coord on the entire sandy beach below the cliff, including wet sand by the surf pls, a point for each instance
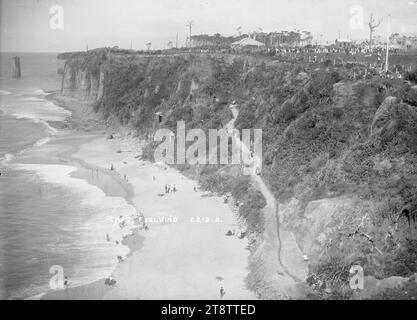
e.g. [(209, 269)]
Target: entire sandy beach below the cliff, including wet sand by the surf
[(184, 253)]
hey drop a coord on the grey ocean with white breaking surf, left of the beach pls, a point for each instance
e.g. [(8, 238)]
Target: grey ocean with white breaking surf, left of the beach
[(47, 217)]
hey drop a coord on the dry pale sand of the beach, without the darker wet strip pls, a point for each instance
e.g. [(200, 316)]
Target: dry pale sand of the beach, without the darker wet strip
[(178, 260)]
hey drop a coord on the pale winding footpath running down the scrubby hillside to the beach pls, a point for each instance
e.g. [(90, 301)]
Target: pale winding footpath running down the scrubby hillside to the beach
[(289, 265)]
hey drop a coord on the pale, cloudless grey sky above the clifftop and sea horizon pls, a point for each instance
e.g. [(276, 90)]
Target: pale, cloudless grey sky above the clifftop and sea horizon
[(69, 25)]
